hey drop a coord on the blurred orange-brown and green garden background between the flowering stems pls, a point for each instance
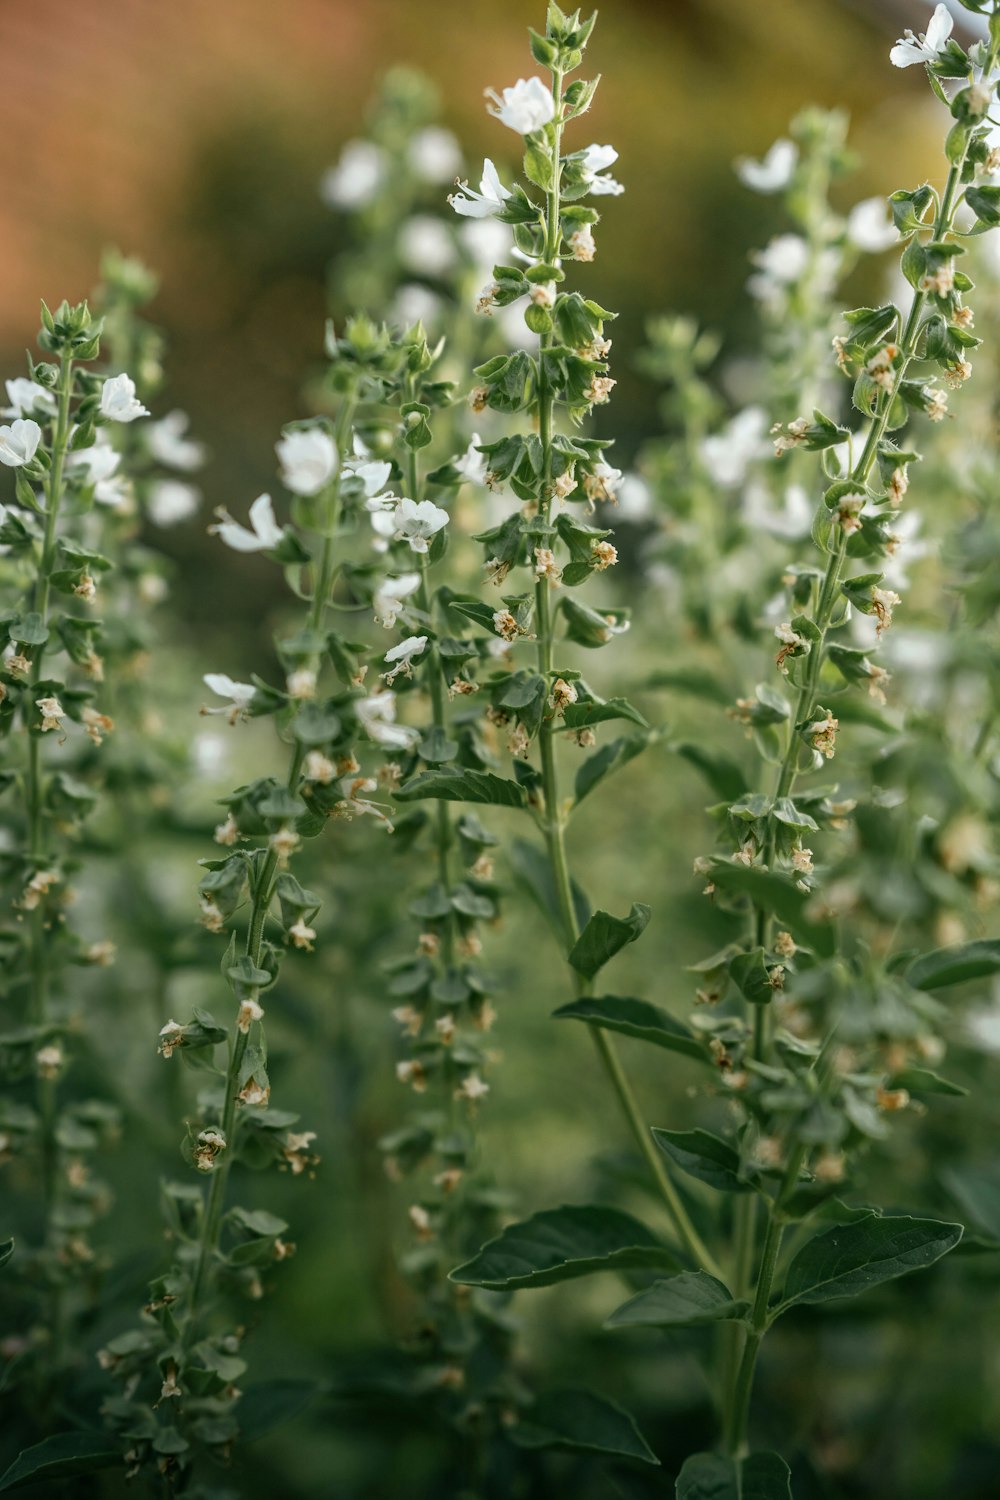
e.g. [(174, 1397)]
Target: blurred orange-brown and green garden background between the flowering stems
[(196, 136)]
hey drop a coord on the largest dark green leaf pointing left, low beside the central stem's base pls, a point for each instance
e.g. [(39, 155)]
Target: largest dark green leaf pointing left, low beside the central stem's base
[(563, 1244)]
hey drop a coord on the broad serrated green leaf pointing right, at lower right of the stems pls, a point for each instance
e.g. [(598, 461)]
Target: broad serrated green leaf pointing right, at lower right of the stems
[(851, 1259)]
